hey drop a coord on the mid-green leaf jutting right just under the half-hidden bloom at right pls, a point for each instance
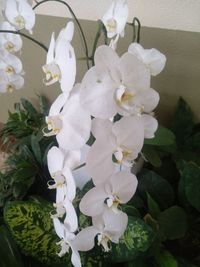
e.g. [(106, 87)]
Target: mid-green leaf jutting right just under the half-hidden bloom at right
[(163, 137)]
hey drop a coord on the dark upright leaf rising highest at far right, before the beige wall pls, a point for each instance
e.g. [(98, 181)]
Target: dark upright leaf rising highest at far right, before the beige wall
[(183, 122)]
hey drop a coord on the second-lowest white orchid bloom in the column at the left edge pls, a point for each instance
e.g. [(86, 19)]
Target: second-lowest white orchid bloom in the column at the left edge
[(10, 63)]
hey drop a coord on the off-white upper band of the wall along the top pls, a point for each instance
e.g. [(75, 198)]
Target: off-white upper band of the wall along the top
[(166, 14)]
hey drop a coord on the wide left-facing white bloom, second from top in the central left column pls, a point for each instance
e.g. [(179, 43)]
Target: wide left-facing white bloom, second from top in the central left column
[(69, 121)]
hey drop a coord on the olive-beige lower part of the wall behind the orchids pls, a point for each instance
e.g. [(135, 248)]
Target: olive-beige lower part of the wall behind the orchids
[(181, 76)]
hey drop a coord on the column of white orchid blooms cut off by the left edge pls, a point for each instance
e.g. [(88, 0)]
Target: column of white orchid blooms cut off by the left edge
[(18, 15)]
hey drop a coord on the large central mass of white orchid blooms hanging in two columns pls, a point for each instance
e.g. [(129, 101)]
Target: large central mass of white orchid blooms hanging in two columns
[(115, 87)]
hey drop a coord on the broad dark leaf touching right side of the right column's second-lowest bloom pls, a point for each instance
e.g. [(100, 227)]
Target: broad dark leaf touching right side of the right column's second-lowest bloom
[(159, 188)]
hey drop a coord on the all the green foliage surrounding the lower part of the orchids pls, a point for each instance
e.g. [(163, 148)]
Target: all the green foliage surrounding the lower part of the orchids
[(164, 219)]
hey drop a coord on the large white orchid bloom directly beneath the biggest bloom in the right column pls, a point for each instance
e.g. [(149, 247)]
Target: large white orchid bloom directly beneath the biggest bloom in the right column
[(116, 145)]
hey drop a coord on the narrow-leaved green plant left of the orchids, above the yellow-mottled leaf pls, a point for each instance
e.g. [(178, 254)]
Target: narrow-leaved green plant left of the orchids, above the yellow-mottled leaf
[(23, 139)]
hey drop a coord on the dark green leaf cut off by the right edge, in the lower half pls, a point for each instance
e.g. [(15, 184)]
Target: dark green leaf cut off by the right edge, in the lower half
[(191, 176)]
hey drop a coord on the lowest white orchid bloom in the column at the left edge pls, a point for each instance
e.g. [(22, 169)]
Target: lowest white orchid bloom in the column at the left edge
[(10, 83)]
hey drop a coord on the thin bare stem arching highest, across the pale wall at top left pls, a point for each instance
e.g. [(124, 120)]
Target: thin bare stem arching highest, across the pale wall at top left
[(75, 18)]
